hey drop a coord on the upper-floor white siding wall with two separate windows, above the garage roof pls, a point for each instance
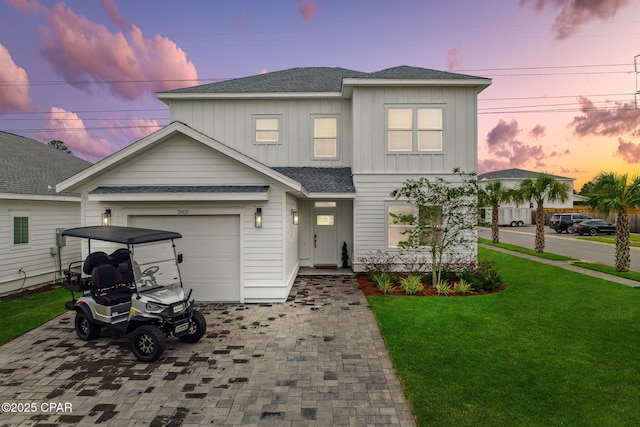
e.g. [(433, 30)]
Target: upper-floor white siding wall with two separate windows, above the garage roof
[(231, 123)]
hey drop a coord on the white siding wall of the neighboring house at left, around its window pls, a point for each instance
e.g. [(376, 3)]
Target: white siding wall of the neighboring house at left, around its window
[(35, 258)]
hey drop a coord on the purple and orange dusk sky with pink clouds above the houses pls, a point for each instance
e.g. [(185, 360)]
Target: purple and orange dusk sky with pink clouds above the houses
[(564, 71)]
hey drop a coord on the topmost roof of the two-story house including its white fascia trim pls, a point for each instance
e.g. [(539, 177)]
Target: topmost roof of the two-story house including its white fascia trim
[(322, 80)]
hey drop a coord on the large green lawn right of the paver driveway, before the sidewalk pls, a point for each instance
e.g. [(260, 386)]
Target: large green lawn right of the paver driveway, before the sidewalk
[(554, 348)]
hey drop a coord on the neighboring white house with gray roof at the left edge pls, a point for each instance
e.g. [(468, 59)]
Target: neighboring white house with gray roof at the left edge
[(31, 211)]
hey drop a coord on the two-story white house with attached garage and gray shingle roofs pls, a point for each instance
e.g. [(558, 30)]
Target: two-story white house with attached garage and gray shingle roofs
[(268, 173)]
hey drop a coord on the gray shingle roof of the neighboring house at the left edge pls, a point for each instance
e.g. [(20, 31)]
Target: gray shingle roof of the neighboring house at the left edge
[(30, 167)]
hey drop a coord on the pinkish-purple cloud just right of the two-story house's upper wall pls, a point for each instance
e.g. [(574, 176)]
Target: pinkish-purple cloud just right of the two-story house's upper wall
[(504, 144)]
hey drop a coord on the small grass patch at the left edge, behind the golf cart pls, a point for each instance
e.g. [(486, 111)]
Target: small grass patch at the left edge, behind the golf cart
[(23, 314)]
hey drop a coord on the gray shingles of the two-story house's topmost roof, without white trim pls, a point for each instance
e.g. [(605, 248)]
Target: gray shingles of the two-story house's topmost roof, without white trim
[(314, 79)]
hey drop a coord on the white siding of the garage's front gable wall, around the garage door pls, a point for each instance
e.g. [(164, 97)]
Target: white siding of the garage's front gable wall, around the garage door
[(182, 161)]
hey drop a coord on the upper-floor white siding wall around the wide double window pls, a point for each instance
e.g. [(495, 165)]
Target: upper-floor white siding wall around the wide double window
[(459, 137)]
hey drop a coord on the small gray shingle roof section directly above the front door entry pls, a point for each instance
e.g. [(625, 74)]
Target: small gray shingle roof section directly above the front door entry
[(321, 180)]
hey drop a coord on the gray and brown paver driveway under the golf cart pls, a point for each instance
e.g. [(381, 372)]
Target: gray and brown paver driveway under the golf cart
[(318, 359)]
